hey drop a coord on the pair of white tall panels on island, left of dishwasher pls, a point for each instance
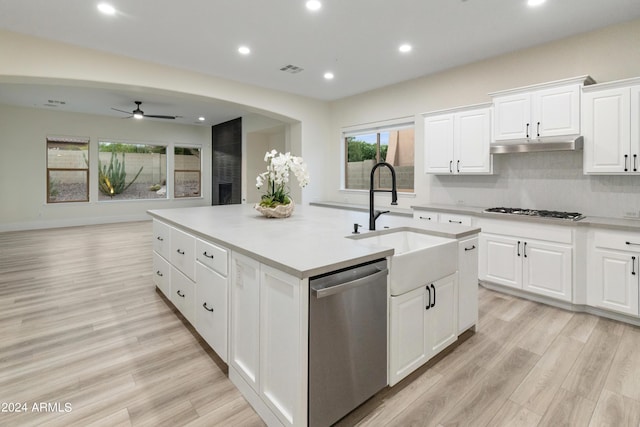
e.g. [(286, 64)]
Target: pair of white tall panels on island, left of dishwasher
[(268, 339)]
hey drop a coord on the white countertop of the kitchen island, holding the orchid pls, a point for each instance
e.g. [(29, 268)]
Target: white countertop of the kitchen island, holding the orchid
[(312, 241)]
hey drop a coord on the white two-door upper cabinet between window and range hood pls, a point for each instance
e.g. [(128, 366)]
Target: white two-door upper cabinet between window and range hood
[(457, 141)]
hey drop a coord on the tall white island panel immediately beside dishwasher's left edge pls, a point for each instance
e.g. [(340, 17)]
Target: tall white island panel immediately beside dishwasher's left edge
[(283, 344)]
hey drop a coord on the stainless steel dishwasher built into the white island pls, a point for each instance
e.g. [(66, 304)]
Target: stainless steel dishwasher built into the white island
[(347, 340)]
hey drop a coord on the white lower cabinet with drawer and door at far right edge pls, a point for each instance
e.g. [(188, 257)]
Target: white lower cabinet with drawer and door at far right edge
[(614, 279)]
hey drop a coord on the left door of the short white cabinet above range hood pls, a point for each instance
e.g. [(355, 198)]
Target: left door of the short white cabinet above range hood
[(512, 116)]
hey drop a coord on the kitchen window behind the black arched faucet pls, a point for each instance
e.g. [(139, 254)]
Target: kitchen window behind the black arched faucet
[(366, 148)]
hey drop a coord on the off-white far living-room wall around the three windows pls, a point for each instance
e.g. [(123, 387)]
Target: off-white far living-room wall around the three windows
[(23, 166)]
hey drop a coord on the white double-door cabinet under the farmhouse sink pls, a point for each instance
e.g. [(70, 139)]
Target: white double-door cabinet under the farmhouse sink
[(424, 322)]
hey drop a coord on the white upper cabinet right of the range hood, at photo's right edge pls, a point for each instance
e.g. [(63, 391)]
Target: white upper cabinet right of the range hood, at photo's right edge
[(611, 117)]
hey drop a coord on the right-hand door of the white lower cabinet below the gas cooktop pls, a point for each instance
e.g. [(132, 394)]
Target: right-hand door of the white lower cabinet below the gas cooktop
[(547, 269)]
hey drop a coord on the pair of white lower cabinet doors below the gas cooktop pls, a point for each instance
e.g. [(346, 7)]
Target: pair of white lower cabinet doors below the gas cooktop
[(543, 268)]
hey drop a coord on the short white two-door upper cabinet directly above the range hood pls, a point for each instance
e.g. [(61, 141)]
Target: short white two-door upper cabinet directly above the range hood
[(539, 111)]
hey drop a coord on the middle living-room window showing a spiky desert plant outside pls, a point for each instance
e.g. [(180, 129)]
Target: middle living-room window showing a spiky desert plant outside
[(130, 171)]
